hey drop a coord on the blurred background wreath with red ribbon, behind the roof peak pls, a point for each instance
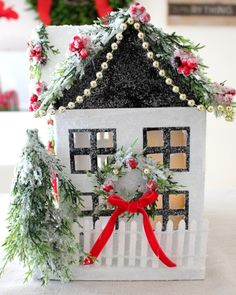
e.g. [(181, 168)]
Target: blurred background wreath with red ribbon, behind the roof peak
[(75, 12)]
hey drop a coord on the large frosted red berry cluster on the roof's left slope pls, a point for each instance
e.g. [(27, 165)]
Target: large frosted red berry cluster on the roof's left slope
[(79, 46)]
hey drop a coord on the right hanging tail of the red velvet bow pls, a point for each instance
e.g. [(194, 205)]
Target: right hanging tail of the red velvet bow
[(156, 248)]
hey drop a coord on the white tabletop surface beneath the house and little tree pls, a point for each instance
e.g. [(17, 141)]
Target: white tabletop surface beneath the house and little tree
[(221, 262)]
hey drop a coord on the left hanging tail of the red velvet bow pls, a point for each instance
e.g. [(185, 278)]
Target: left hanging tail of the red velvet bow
[(103, 238)]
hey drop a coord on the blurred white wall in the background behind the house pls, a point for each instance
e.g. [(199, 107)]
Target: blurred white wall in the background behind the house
[(219, 54)]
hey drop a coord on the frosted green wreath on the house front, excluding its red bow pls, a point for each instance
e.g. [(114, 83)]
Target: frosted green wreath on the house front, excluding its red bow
[(130, 175)]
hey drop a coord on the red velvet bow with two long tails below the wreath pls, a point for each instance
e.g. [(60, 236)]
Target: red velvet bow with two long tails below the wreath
[(133, 207)]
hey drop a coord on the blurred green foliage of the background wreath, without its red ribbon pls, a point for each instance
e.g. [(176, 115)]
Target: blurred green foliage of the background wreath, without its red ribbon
[(65, 13)]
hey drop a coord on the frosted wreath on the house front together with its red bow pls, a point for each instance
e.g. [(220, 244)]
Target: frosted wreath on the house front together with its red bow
[(151, 178)]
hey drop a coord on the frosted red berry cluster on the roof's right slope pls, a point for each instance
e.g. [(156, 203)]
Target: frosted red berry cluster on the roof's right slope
[(185, 62)]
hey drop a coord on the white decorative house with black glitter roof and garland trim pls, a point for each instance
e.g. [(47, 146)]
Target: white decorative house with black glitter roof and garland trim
[(125, 81)]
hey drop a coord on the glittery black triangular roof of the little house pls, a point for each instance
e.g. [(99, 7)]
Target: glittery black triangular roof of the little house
[(130, 81)]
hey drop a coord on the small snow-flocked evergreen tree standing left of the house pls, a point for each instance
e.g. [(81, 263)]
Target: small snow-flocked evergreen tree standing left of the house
[(40, 231)]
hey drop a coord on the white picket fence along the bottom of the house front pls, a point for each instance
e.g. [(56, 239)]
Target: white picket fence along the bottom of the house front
[(127, 255)]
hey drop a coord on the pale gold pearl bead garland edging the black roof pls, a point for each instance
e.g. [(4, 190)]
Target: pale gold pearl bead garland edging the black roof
[(150, 55)]
